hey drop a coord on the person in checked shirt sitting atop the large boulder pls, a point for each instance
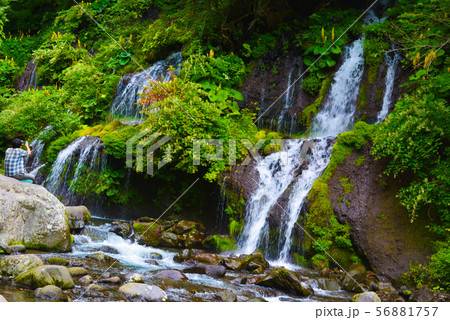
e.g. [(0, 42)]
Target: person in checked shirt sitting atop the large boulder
[(14, 161)]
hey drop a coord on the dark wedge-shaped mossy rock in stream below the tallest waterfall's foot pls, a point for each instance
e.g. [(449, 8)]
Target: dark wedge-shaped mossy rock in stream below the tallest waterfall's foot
[(284, 280)]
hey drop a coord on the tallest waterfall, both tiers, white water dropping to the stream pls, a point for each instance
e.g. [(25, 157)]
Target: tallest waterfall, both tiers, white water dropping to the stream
[(288, 175)]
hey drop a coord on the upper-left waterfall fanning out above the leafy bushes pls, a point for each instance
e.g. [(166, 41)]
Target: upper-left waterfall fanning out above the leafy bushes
[(131, 86)]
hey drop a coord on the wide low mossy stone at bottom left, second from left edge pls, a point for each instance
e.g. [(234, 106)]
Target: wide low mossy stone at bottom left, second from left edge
[(46, 275)]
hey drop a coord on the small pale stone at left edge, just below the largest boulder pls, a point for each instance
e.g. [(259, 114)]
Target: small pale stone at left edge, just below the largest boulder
[(12, 266)]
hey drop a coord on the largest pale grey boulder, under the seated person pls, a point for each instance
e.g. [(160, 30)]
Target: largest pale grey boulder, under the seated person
[(32, 216)]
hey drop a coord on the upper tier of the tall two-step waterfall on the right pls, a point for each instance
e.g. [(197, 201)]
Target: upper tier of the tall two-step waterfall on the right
[(336, 116)]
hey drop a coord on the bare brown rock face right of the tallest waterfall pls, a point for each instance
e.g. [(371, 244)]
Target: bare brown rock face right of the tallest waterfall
[(380, 226)]
